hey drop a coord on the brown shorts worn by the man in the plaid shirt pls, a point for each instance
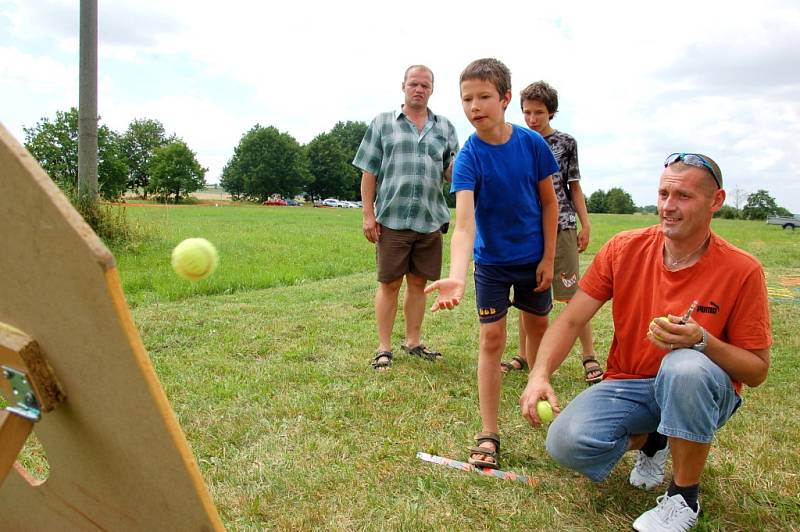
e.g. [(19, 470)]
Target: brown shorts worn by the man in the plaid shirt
[(401, 252)]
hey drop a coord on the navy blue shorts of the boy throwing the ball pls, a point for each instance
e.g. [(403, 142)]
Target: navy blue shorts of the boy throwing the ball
[(493, 286)]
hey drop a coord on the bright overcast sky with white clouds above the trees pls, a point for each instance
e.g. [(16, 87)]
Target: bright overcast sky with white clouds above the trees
[(636, 81)]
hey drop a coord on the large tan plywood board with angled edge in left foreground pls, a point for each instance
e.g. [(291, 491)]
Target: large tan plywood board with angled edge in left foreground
[(118, 458)]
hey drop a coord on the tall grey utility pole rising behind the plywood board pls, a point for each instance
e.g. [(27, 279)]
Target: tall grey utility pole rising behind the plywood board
[(87, 101)]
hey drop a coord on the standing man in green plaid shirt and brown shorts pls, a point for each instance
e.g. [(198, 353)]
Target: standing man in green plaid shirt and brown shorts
[(404, 156)]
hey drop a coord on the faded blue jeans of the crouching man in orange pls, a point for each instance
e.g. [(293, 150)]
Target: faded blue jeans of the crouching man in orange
[(690, 398)]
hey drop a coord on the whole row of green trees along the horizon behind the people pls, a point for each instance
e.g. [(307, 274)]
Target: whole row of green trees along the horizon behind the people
[(266, 162)]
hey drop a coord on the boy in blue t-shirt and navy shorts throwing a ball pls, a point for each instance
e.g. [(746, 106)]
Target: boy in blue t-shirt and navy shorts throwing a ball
[(506, 209)]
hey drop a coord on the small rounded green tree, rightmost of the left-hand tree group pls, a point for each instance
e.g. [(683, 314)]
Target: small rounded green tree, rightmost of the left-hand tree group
[(174, 171)]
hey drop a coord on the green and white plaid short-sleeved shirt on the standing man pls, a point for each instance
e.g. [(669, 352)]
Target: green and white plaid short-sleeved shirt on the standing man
[(408, 165)]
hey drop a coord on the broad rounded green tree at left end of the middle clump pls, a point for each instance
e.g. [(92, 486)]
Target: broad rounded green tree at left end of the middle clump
[(266, 162)]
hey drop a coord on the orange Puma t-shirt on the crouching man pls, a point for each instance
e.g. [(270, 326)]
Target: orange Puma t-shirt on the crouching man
[(727, 282)]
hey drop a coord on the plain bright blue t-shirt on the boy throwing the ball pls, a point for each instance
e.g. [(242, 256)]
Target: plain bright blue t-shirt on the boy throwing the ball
[(504, 178)]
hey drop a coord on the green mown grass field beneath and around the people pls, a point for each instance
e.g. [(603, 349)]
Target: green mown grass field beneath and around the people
[(267, 367)]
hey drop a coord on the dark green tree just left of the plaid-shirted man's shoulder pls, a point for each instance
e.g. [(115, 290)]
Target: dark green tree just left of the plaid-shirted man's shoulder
[(333, 173)]
